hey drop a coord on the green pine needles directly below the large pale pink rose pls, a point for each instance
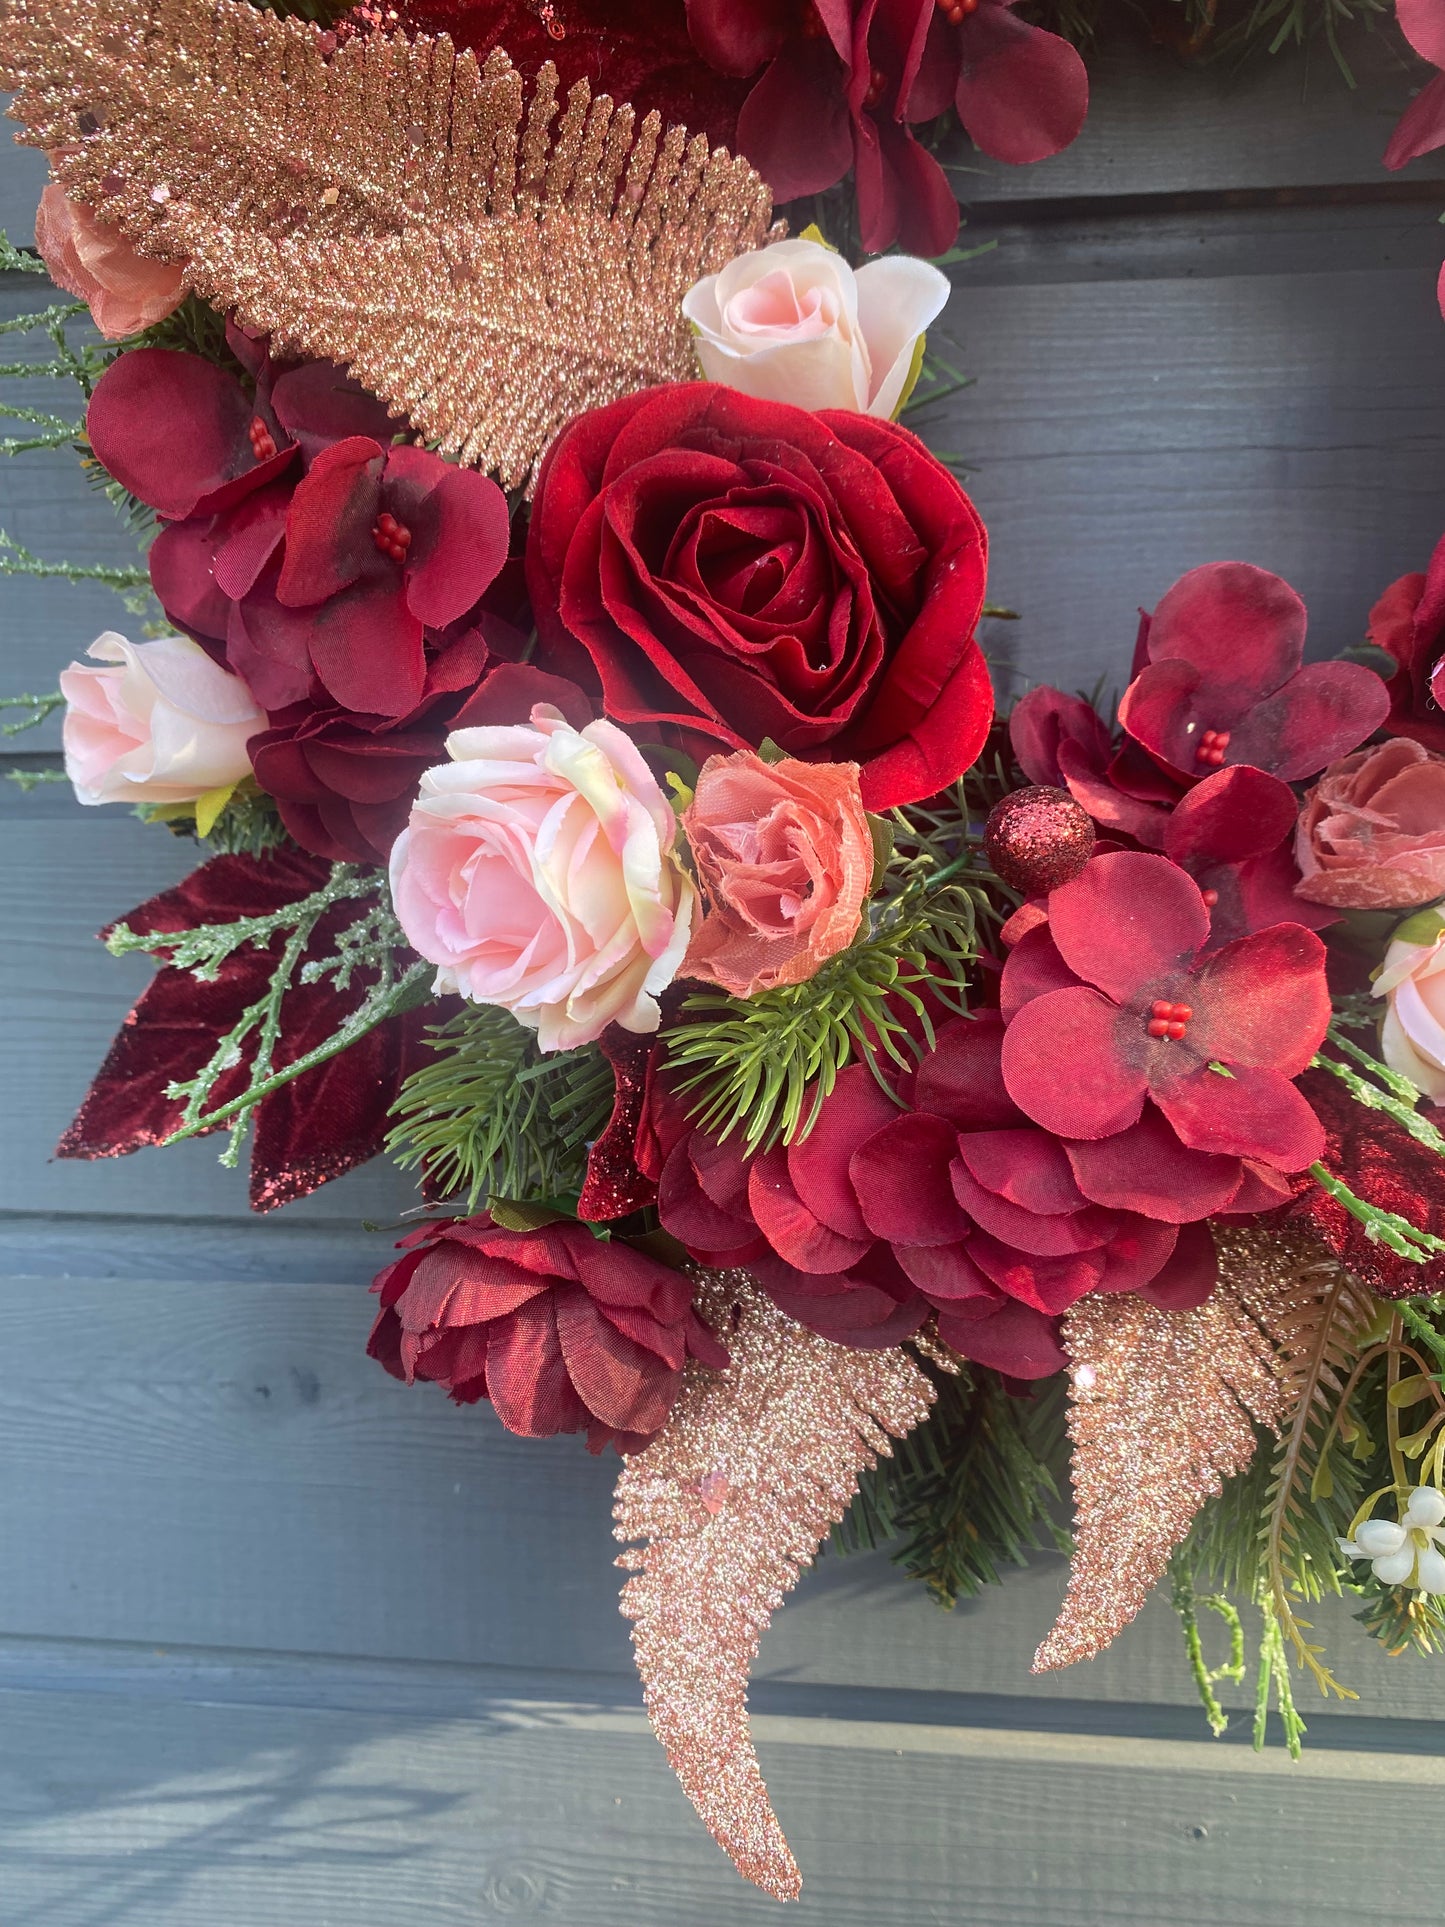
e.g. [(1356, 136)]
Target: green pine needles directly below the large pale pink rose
[(492, 1117)]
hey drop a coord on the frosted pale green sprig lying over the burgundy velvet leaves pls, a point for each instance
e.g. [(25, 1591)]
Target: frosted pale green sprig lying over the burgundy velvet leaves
[(369, 947)]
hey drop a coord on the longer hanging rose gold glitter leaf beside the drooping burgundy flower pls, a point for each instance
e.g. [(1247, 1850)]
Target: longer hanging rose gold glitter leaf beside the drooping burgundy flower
[(723, 1512)]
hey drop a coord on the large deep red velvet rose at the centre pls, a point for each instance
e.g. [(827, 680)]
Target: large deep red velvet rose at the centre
[(741, 571)]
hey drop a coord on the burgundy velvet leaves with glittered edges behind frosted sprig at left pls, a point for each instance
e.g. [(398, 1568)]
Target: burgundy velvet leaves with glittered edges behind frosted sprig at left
[(319, 1126)]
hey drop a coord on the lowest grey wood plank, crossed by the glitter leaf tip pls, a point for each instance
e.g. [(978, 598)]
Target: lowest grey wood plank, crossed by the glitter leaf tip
[(161, 1812)]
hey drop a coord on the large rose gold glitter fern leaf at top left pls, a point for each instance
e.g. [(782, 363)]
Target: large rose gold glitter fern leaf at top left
[(390, 205)]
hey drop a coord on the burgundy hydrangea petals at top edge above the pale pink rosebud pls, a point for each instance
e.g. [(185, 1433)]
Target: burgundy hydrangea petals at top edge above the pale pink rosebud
[(831, 97)]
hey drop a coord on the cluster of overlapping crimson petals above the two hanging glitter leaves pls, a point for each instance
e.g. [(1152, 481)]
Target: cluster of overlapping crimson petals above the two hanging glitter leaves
[(955, 1205)]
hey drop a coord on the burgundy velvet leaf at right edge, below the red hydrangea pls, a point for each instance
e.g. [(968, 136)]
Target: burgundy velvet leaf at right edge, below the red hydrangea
[(1388, 1169)]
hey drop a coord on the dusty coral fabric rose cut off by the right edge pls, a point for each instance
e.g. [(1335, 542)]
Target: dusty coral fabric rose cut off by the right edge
[(1373, 830)]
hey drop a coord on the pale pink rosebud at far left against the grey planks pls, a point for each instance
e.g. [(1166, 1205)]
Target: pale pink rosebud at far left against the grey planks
[(155, 724)]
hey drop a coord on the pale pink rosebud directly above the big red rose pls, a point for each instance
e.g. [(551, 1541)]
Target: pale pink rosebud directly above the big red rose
[(795, 323)]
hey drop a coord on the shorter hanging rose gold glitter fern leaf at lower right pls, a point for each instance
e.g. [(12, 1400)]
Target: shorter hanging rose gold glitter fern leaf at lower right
[(1163, 1410)]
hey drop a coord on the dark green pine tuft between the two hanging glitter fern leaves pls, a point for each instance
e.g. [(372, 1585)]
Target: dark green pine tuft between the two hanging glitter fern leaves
[(968, 1492)]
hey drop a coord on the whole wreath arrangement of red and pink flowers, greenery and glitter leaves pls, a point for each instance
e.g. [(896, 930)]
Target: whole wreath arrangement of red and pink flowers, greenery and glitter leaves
[(824, 1092)]
